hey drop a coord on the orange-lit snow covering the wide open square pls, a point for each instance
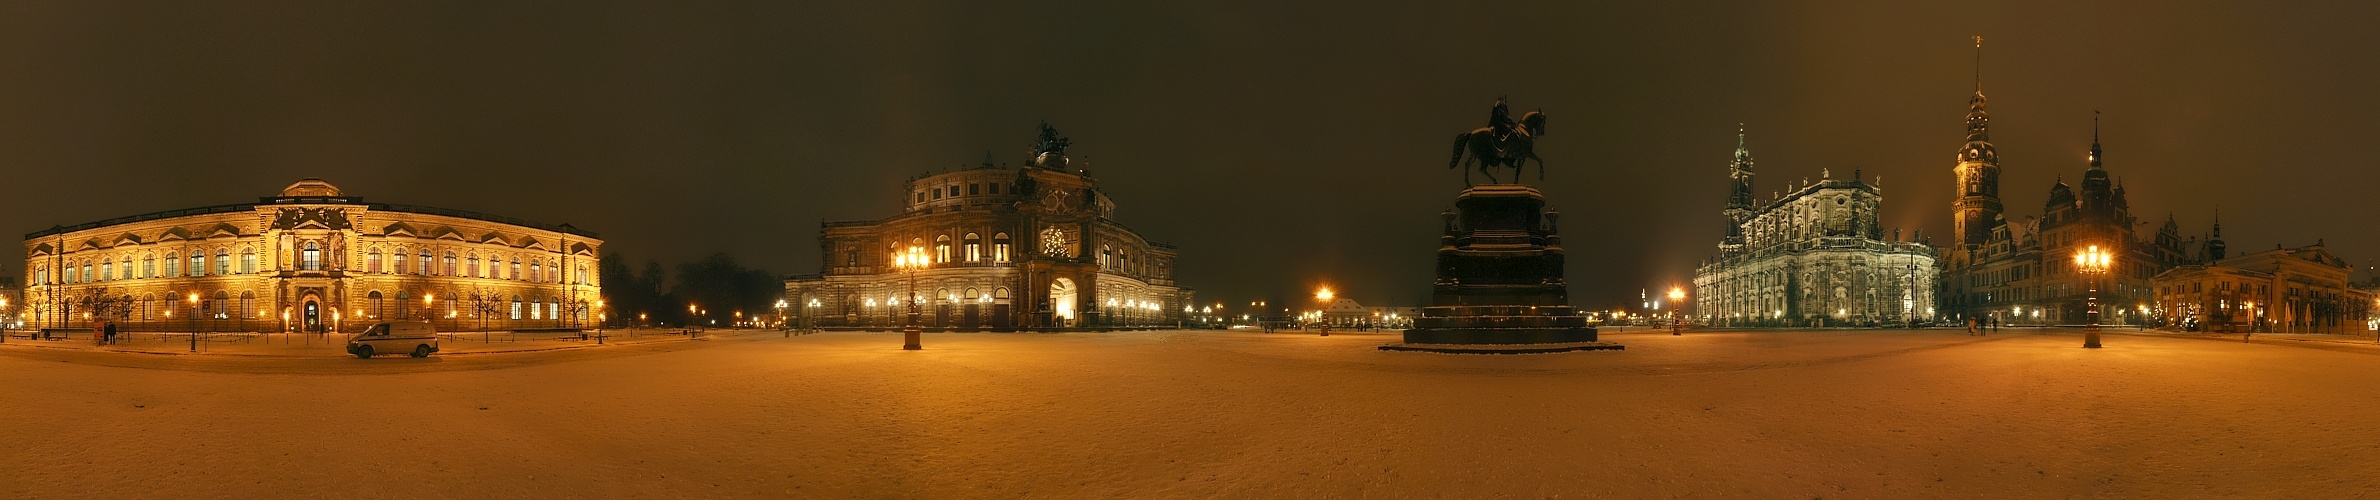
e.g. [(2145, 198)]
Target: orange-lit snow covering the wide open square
[(1213, 415)]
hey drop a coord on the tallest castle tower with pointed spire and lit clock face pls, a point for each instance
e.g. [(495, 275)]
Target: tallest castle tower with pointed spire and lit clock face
[(1979, 175)]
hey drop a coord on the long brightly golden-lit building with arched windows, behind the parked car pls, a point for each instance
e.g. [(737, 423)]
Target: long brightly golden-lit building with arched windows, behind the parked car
[(311, 261)]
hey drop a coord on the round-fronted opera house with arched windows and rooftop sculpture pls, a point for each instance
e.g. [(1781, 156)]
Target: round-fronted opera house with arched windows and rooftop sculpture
[(1010, 249)]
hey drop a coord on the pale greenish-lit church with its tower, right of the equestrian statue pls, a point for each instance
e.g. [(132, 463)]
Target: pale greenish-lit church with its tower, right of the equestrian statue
[(1812, 256)]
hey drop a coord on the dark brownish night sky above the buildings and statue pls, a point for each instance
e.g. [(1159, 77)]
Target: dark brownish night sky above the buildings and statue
[(1279, 144)]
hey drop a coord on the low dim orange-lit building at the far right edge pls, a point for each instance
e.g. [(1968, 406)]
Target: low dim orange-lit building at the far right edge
[(2284, 289)]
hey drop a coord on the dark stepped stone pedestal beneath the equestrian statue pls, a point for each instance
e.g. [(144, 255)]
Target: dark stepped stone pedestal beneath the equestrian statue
[(1501, 282)]
